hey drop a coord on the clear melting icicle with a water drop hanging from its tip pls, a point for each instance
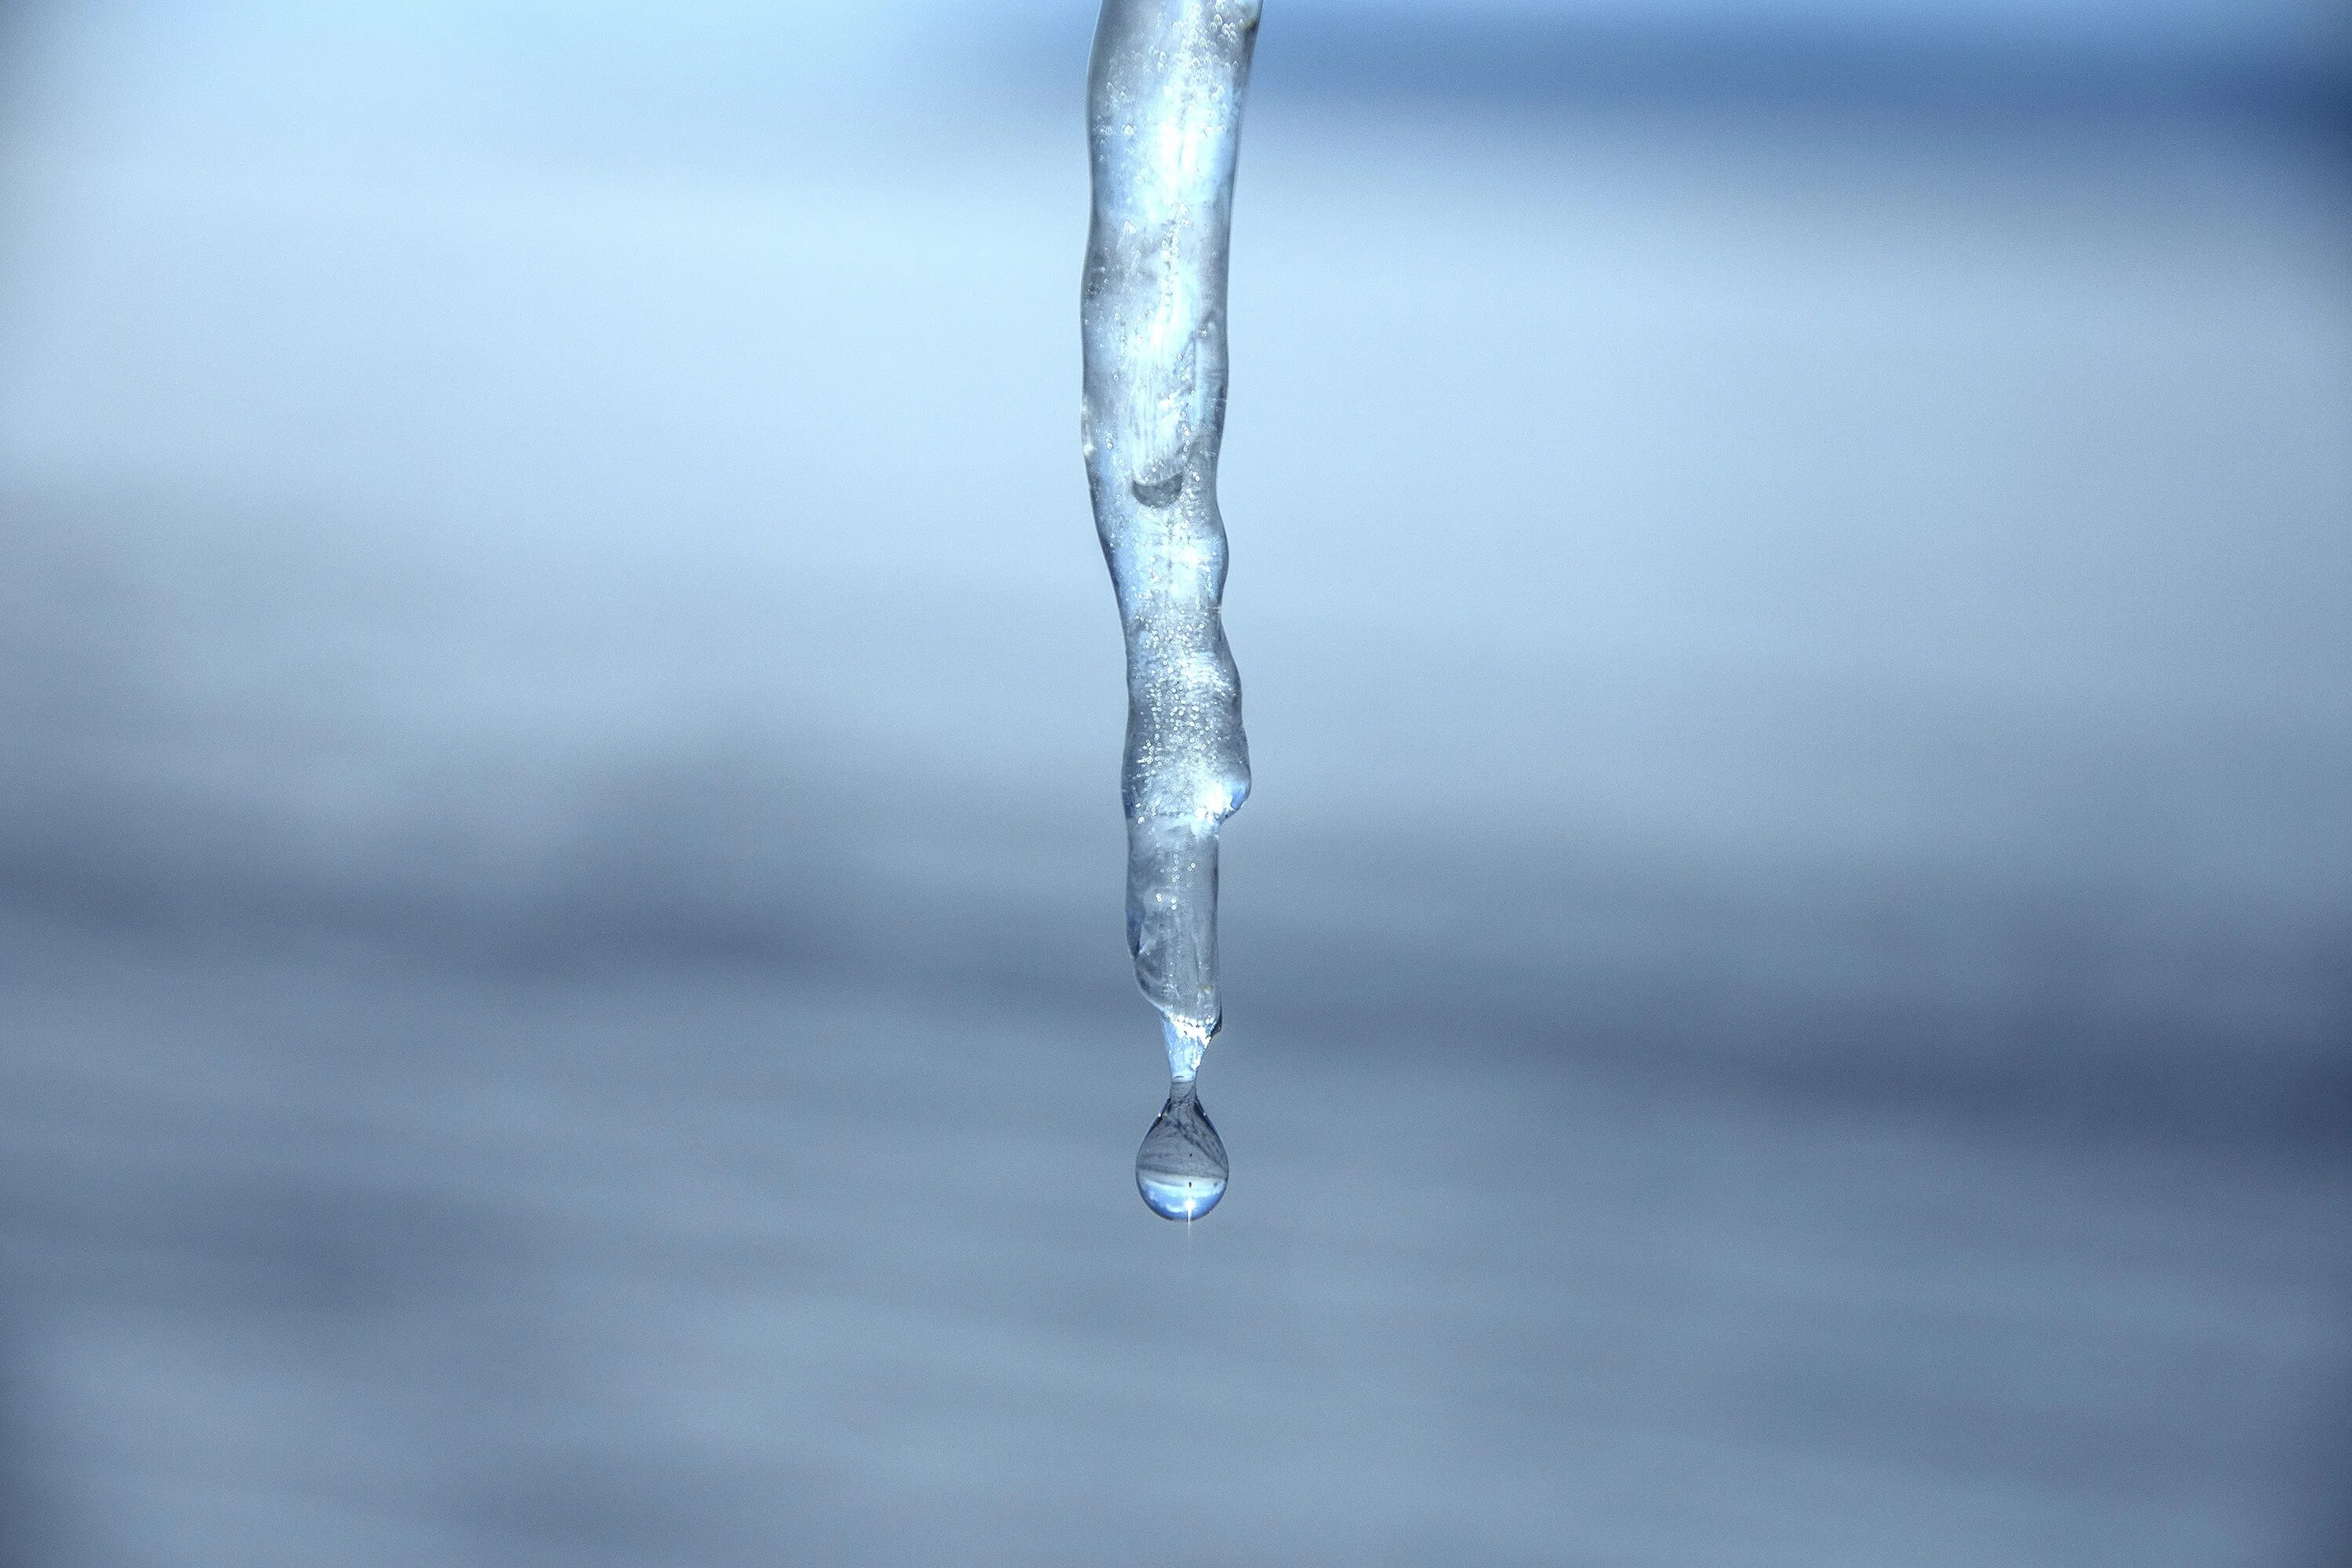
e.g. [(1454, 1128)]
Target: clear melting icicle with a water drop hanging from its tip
[(1163, 130)]
